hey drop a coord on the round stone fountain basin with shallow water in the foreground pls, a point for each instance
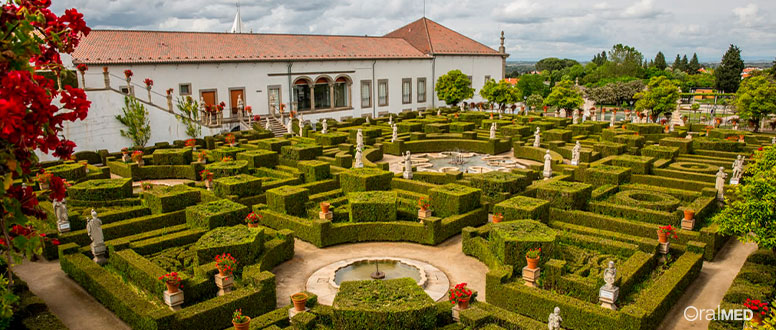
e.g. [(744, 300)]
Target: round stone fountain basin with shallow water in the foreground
[(325, 281)]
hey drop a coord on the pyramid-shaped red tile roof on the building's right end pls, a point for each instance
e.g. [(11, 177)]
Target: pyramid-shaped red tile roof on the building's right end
[(432, 38)]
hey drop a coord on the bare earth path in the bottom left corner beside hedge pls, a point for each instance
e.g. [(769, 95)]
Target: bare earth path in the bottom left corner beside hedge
[(65, 298)]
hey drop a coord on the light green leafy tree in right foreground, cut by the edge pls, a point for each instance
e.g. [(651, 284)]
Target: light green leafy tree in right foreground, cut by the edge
[(750, 214)]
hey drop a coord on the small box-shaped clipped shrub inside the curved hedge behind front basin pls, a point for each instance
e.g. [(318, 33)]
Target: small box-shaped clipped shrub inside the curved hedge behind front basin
[(371, 206)]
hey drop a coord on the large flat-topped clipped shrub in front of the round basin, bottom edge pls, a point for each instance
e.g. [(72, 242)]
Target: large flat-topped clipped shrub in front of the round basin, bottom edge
[(389, 304)]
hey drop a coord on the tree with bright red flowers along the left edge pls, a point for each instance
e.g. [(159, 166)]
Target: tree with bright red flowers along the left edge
[(33, 37)]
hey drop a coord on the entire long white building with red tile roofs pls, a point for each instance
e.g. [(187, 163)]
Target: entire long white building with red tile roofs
[(318, 76)]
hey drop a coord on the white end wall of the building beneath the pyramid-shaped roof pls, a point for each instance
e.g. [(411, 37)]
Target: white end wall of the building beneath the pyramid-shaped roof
[(476, 66)]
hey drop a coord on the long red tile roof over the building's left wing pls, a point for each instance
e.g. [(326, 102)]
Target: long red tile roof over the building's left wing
[(128, 47)]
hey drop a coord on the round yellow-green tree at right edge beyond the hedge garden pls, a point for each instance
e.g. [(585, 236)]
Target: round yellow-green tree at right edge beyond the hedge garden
[(756, 98)]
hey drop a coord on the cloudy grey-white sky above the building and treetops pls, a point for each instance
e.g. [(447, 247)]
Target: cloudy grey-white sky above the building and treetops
[(534, 29)]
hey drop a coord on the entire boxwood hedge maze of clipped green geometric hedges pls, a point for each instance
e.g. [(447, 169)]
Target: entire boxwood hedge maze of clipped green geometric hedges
[(235, 211)]
